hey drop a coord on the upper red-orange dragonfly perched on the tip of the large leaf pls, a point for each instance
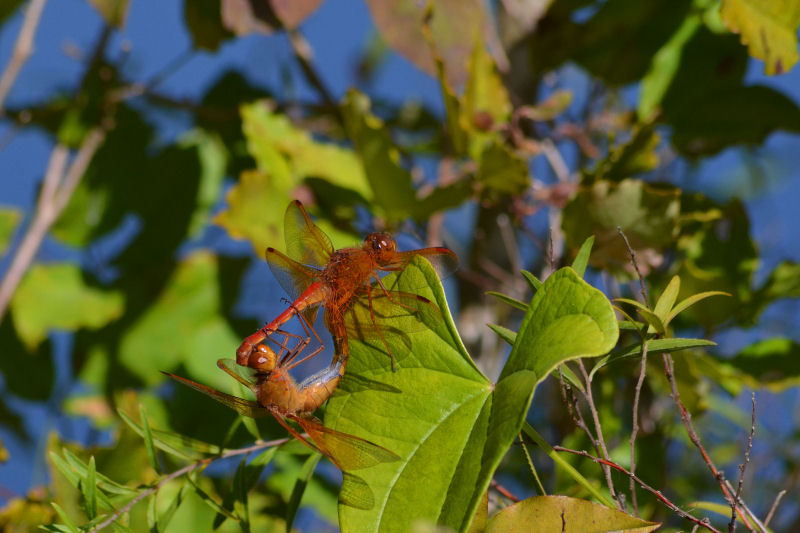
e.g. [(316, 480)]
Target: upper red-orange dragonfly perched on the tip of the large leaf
[(347, 284)]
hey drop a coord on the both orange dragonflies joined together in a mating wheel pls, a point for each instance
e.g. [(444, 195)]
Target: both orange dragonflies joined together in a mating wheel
[(348, 285)]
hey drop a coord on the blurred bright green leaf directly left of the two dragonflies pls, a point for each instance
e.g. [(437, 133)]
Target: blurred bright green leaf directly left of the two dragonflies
[(184, 325)]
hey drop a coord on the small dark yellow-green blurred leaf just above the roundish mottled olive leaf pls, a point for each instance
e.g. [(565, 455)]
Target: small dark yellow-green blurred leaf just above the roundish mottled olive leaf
[(633, 157)]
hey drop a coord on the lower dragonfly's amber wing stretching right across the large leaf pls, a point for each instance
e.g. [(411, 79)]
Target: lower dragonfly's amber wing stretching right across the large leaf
[(347, 451)]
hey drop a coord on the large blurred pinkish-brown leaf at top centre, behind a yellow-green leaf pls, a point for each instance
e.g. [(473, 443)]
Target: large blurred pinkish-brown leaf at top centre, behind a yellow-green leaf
[(455, 26)]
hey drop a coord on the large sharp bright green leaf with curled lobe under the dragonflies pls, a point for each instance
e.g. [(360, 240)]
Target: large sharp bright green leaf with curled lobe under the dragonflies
[(447, 422)]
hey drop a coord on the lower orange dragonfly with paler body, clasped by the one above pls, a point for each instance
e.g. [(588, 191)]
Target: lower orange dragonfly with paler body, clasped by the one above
[(279, 395)]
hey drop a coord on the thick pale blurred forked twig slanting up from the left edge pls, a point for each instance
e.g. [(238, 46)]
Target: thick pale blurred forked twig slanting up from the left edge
[(53, 198)]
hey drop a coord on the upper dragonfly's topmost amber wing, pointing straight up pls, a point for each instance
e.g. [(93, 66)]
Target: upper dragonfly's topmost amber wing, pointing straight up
[(305, 242)]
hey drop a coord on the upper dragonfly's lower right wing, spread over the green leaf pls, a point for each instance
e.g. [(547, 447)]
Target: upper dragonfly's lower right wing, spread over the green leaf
[(375, 313)]
